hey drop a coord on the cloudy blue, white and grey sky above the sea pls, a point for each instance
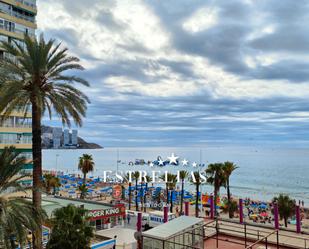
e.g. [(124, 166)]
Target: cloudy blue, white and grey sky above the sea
[(189, 72)]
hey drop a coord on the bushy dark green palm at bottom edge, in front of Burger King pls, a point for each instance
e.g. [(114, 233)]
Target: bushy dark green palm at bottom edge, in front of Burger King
[(70, 229)]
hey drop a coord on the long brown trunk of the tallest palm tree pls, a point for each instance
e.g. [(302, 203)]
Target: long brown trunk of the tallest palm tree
[(37, 168)]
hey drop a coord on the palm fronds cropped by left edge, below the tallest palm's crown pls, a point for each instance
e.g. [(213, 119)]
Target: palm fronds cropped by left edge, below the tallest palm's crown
[(17, 215)]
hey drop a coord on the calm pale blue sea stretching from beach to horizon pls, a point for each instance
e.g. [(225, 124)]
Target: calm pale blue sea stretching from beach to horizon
[(262, 173)]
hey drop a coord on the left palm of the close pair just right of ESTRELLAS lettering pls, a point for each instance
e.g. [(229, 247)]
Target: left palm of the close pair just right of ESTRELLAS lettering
[(215, 176)]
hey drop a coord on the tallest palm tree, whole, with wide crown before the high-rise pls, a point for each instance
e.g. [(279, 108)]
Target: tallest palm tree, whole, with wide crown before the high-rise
[(35, 77)]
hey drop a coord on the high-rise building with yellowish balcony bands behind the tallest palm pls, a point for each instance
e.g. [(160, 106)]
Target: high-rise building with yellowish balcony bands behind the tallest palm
[(17, 18)]
